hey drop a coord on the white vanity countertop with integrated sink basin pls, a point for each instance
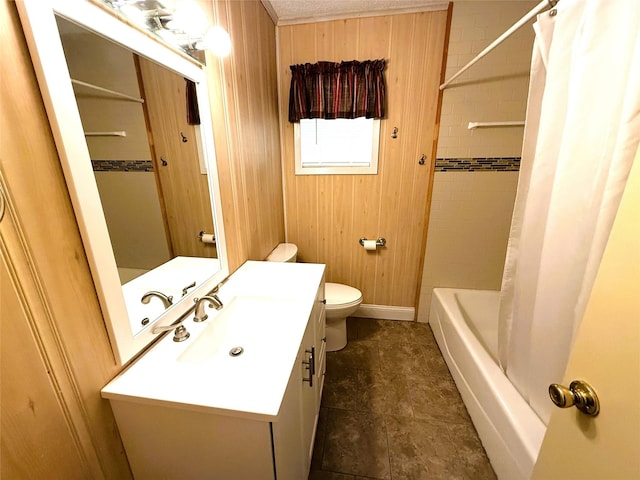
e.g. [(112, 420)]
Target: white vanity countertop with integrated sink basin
[(266, 309)]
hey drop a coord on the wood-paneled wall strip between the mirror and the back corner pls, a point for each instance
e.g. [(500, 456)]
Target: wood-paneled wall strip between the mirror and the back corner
[(246, 131)]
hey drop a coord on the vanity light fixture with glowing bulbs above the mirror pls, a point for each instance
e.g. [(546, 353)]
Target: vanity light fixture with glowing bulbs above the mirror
[(182, 24)]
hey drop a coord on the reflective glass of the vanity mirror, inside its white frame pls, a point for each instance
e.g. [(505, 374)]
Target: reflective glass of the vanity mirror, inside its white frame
[(147, 161)]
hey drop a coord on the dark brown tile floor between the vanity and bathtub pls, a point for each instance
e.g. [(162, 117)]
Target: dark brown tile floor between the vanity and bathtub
[(390, 410)]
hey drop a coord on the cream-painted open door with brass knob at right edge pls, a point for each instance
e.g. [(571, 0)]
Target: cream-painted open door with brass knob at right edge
[(606, 354)]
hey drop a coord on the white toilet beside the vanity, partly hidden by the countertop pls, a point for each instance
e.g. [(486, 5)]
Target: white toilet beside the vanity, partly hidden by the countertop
[(342, 300)]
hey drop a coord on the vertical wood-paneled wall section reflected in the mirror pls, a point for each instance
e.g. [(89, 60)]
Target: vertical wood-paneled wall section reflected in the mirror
[(184, 187)]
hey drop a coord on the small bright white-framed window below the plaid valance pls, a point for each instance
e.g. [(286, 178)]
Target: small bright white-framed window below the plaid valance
[(337, 146)]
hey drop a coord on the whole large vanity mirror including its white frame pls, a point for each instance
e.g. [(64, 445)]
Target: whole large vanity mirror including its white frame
[(140, 169)]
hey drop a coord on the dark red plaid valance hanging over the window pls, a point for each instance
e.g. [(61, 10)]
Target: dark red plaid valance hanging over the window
[(337, 90)]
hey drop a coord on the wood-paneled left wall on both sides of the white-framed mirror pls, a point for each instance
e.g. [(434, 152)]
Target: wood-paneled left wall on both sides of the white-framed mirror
[(56, 425)]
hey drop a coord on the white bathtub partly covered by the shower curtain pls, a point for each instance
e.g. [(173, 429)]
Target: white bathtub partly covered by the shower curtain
[(465, 325)]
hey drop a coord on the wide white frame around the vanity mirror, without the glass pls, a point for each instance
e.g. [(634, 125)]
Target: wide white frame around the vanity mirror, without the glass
[(45, 47)]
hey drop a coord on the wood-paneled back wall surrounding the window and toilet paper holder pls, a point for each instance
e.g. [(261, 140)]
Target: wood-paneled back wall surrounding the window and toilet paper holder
[(327, 214)]
